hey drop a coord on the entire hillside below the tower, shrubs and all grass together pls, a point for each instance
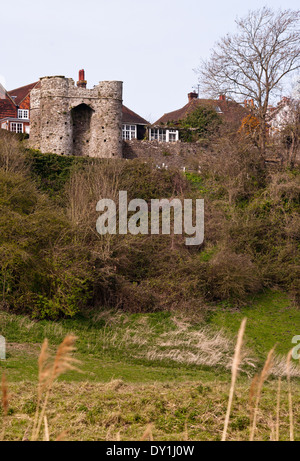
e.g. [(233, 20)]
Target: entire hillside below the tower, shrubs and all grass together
[(156, 321)]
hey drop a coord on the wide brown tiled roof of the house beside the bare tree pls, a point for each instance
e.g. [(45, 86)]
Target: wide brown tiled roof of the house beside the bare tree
[(230, 110)]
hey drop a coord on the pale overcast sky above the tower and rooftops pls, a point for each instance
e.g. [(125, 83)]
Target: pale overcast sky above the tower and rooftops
[(152, 46)]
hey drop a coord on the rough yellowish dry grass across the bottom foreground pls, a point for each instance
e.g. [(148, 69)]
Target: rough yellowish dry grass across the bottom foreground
[(122, 411)]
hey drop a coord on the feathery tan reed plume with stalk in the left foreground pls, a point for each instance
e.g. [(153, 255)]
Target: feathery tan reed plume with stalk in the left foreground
[(48, 373)]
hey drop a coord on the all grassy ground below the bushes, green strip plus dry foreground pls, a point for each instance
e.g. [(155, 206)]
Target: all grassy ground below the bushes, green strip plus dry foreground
[(121, 391)]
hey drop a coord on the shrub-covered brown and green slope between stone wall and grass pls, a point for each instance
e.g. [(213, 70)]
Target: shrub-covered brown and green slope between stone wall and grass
[(53, 262)]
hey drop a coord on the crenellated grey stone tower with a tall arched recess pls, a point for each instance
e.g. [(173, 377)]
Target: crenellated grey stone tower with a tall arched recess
[(70, 120)]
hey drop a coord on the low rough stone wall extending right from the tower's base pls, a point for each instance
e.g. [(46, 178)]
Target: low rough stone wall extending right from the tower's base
[(189, 156)]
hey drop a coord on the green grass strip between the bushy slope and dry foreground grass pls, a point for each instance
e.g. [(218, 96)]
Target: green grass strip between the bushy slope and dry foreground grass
[(162, 346)]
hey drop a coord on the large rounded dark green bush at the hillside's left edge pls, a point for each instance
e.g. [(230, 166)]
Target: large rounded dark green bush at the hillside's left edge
[(43, 270)]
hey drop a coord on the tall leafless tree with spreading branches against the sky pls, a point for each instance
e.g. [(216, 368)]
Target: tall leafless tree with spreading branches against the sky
[(253, 62)]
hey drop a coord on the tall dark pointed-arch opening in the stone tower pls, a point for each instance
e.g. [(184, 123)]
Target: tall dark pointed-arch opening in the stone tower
[(81, 121)]
